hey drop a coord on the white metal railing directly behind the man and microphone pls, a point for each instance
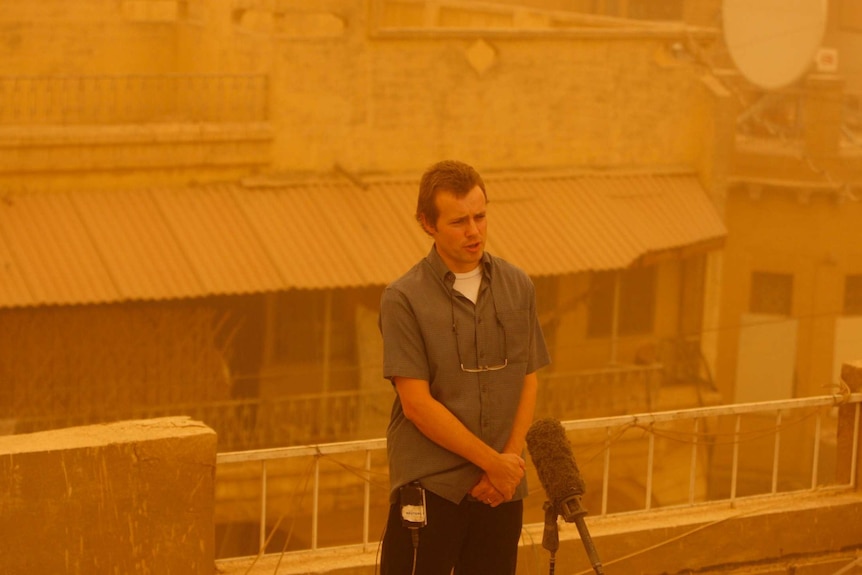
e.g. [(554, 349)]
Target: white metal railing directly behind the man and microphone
[(724, 446)]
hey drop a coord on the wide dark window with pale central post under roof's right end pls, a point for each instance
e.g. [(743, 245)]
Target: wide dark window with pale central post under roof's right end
[(636, 303)]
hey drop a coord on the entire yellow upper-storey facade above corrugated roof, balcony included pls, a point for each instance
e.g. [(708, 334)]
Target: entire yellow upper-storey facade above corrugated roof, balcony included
[(338, 91)]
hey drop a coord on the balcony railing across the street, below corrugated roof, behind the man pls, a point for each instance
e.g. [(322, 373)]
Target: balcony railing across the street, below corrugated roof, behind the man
[(257, 423)]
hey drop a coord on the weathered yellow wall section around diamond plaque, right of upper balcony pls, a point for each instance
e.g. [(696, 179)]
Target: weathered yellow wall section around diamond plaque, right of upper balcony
[(398, 105)]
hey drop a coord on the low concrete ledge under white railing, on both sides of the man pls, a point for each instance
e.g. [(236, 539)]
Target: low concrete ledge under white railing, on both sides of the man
[(805, 534)]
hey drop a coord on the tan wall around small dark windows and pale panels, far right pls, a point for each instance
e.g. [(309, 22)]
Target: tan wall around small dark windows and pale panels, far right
[(780, 232)]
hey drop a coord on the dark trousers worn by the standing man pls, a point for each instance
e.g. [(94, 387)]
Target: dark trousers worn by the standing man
[(474, 538)]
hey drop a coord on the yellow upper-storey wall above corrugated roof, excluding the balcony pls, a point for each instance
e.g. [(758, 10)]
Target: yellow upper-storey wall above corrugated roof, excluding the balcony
[(338, 93)]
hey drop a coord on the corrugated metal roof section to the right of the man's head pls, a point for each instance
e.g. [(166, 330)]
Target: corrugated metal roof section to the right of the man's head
[(570, 224)]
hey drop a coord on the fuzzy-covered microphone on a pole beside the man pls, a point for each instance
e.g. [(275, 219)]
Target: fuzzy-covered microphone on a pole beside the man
[(555, 464)]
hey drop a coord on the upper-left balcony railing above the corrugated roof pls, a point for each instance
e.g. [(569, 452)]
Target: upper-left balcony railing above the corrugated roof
[(132, 99)]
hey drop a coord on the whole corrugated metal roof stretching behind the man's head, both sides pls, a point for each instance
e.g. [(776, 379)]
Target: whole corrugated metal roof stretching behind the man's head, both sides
[(96, 247)]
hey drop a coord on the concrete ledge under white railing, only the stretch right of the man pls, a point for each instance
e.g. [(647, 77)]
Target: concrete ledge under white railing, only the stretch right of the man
[(801, 528)]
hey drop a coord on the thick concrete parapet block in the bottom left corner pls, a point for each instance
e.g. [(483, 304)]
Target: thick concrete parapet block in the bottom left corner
[(129, 497)]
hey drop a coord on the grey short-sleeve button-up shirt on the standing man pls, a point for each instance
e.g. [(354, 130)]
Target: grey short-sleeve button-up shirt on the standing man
[(429, 330)]
